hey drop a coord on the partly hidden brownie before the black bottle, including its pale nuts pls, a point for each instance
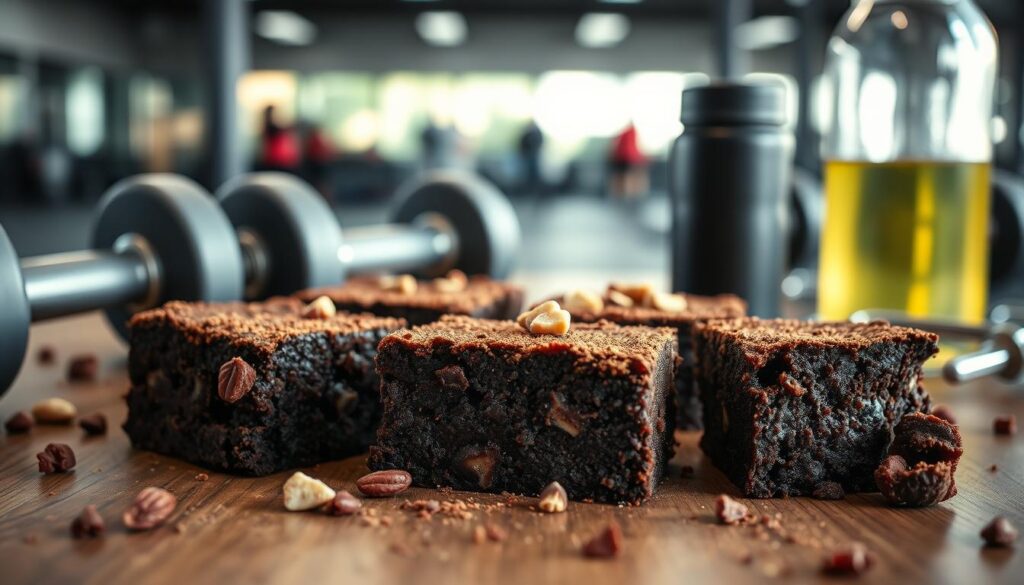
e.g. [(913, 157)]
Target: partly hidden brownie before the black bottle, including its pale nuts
[(641, 305)]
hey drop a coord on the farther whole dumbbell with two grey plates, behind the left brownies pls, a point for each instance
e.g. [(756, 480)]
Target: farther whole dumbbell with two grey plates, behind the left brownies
[(291, 240)]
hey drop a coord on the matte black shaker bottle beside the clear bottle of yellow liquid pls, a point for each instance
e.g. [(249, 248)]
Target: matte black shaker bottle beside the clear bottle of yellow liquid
[(730, 174)]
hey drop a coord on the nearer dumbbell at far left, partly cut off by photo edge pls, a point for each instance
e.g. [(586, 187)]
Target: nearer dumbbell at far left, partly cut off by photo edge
[(156, 238)]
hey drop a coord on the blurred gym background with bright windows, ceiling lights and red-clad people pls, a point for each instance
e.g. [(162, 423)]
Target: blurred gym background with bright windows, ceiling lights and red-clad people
[(569, 106)]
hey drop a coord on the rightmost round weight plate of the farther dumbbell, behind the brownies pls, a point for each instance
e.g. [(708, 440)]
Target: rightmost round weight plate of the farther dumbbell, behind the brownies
[(483, 219)]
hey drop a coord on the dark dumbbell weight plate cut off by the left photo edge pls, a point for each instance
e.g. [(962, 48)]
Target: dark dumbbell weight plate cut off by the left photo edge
[(15, 317)]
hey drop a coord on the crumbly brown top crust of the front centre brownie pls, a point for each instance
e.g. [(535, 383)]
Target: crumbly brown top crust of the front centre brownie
[(611, 347)]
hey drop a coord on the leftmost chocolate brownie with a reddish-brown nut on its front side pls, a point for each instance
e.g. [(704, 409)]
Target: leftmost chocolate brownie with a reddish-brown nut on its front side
[(314, 397)]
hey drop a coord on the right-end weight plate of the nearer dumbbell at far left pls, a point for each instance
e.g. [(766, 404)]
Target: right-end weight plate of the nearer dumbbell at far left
[(196, 248)]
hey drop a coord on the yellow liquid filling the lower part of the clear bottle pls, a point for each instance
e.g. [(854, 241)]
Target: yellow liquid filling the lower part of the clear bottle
[(911, 236)]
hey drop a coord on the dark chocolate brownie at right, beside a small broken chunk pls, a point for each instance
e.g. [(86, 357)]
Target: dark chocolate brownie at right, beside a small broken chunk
[(790, 405)]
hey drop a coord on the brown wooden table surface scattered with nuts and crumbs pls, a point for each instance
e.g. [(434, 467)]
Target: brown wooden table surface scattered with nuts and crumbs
[(235, 530)]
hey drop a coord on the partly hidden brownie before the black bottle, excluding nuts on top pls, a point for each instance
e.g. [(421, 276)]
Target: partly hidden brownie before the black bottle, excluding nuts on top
[(698, 309)]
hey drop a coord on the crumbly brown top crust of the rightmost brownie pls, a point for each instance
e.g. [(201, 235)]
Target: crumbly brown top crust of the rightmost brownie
[(767, 337)]
